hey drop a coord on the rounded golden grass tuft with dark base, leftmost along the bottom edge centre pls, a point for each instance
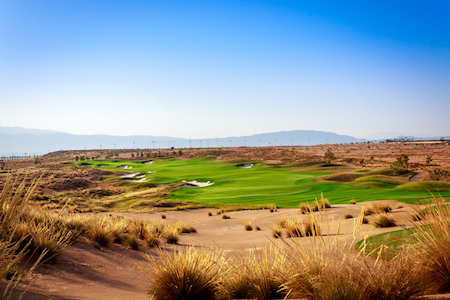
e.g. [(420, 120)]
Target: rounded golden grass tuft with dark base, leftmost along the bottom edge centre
[(189, 274)]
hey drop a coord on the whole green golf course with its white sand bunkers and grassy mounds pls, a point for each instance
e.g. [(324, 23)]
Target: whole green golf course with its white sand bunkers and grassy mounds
[(264, 183)]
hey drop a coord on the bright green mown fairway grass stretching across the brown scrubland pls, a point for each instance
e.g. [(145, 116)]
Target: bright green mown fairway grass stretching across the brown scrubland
[(285, 186)]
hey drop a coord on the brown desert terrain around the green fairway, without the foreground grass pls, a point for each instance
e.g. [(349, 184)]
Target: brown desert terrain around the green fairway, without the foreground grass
[(83, 270)]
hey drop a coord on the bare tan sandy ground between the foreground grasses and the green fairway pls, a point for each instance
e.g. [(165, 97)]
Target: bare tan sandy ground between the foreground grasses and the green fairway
[(83, 272)]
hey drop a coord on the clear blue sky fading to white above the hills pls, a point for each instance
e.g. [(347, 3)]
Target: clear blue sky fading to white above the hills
[(199, 69)]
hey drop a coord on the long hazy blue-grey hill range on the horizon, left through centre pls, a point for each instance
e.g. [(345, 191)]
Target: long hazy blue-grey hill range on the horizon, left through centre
[(18, 141)]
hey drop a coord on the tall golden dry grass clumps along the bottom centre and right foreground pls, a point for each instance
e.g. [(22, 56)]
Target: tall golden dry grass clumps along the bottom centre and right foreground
[(320, 269)]
